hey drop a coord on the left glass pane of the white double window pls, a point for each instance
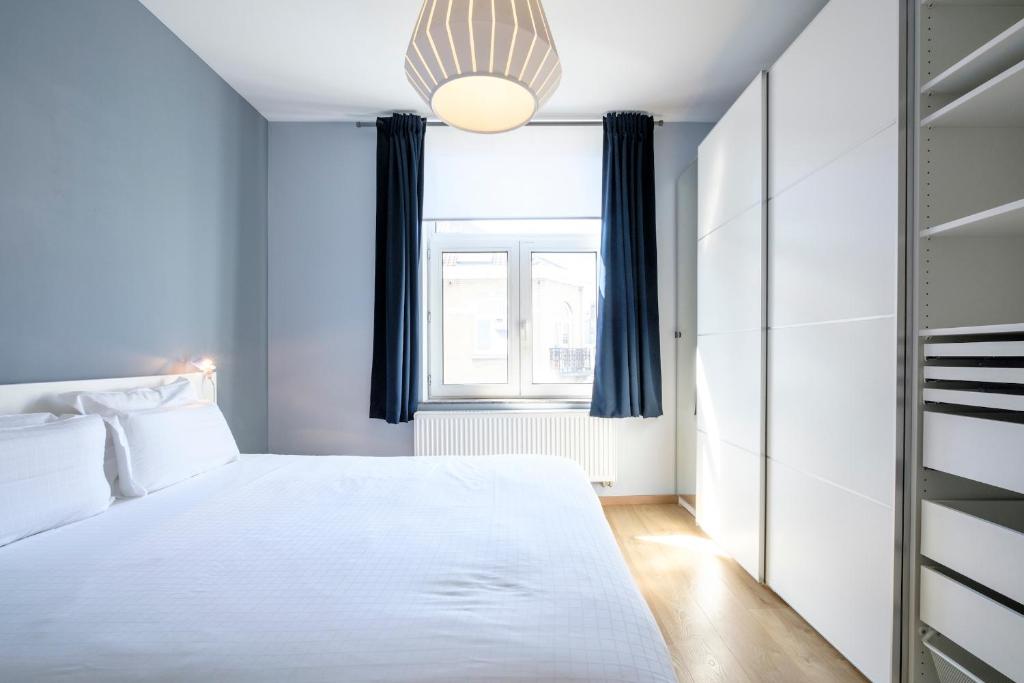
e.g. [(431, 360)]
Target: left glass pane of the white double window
[(476, 310)]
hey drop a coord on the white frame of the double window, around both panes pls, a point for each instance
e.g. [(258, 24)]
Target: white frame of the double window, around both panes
[(521, 369)]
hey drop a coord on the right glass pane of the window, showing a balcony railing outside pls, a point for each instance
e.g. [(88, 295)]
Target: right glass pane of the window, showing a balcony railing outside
[(565, 296)]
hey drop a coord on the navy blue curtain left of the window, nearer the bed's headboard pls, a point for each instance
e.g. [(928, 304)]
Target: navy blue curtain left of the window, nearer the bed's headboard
[(395, 383)]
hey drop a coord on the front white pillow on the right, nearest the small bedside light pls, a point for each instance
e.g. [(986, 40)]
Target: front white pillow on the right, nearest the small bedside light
[(159, 448)]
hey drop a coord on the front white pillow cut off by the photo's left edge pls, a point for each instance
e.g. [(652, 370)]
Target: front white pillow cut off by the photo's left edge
[(51, 476)]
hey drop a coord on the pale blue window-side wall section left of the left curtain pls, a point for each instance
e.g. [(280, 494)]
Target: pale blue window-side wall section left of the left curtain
[(323, 186)]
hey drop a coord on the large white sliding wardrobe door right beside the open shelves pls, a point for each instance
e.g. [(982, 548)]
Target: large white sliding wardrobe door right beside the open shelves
[(835, 223)]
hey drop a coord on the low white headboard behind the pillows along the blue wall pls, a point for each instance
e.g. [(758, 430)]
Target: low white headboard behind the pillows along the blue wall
[(38, 398)]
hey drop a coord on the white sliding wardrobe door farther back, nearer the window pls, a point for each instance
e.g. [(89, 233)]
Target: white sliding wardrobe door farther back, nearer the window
[(731, 330)]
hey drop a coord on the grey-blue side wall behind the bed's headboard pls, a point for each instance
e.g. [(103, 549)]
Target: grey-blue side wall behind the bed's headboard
[(133, 206)]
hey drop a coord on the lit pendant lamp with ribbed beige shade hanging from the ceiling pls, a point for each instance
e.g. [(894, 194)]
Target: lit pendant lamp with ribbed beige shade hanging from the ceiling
[(484, 66)]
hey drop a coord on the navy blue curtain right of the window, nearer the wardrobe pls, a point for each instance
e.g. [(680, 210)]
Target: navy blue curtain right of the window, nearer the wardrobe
[(628, 366)]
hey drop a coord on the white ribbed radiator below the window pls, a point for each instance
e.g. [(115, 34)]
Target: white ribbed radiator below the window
[(590, 442)]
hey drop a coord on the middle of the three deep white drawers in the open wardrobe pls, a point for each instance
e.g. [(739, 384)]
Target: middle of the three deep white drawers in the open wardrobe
[(983, 540)]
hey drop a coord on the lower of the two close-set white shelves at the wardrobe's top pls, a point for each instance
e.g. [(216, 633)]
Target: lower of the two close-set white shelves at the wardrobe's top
[(997, 103)]
